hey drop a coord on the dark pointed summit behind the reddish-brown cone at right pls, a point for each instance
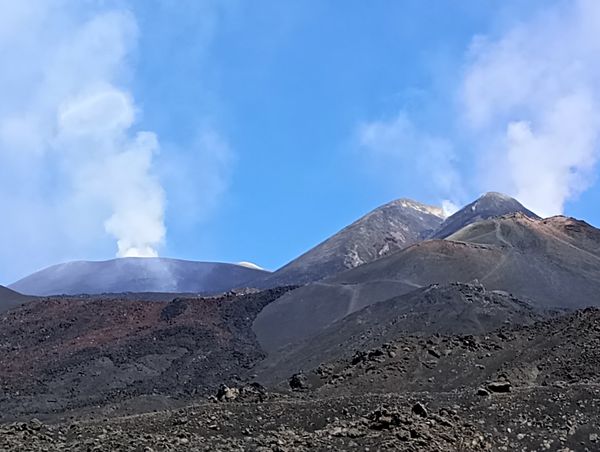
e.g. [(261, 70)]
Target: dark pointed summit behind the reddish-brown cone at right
[(490, 205)]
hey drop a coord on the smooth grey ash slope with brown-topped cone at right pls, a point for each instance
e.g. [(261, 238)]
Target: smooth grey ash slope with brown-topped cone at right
[(555, 263)]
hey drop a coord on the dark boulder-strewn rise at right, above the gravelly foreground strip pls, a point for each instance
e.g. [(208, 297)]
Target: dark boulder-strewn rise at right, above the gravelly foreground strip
[(559, 351)]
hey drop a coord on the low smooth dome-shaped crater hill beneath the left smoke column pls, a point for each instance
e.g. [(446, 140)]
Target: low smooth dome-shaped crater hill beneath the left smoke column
[(137, 275)]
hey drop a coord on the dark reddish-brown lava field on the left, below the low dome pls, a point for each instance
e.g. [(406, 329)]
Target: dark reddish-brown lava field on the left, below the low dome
[(70, 354)]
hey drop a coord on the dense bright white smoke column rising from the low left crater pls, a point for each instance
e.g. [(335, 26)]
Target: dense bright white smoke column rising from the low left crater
[(115, 169)]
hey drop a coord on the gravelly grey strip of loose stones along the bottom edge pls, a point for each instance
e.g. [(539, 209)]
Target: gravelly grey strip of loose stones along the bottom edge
[(533, 419)]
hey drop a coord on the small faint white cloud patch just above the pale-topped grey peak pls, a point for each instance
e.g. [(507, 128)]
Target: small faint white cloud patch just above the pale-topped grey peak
[(399, 148)]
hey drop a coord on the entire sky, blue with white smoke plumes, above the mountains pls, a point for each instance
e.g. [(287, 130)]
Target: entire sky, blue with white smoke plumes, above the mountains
[(234, 130)]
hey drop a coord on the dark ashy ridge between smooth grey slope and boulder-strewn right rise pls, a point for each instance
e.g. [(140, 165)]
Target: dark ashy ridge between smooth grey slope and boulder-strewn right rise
[(455, 308)]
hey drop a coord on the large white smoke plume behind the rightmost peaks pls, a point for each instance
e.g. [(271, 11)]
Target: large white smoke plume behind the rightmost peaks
[(532, 97)]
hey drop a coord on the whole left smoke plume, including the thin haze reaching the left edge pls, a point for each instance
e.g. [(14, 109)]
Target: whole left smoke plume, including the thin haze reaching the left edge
[(73, 169)]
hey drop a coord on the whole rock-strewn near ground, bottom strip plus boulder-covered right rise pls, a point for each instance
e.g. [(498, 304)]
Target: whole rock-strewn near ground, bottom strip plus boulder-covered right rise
[(532, 387)]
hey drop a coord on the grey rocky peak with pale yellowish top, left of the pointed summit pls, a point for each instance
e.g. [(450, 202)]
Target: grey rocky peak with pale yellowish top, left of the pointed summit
[(389, 228)]
